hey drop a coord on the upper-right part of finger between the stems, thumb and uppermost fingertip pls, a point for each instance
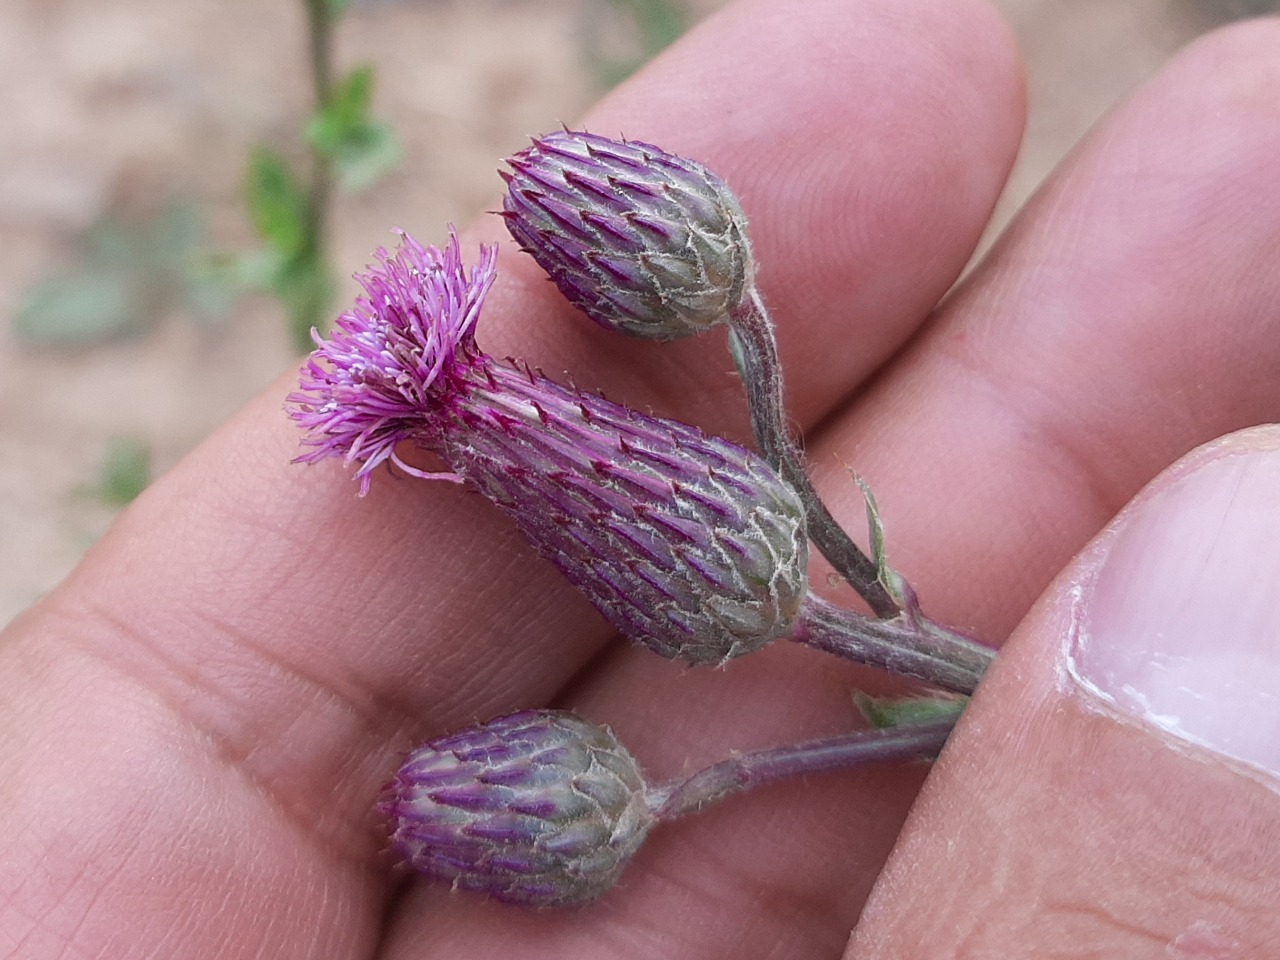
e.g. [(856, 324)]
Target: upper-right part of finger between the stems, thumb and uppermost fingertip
[(1126, 319)]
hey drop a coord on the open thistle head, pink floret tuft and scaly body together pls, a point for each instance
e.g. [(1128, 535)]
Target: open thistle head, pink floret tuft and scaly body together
[(687, 543)]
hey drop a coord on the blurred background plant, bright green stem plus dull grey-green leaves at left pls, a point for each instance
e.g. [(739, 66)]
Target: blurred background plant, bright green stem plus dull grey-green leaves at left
[(134, 271)]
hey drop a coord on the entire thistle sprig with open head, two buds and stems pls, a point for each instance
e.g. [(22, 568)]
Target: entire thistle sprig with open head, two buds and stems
[(687, 543)]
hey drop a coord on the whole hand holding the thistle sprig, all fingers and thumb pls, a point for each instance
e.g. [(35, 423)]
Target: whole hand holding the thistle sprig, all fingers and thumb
[(195, 726)]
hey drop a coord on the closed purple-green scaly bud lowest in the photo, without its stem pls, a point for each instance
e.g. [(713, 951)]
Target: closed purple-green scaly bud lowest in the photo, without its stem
[(540, 808)]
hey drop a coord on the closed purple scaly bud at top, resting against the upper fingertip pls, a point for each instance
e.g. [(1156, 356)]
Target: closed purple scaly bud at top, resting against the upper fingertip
[(639, 240)]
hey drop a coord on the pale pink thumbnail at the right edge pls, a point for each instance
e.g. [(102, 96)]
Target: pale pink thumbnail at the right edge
[(1181, 625)]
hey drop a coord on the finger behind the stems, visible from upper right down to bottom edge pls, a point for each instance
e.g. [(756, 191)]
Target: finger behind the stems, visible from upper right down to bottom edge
[(979, 501)]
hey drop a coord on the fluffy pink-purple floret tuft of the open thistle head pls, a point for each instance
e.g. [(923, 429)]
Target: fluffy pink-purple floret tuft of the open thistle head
[(368, 385)]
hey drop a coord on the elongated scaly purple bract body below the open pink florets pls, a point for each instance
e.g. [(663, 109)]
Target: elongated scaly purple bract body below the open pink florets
[(685, 542)]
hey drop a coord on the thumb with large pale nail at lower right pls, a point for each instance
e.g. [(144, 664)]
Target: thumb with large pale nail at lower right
[(1114, 789)]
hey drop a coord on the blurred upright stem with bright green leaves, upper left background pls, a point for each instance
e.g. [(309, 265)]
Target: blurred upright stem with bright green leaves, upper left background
[(349, 149)]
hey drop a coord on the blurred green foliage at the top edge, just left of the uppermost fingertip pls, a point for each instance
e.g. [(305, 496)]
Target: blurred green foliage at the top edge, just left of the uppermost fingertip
[(647, 26)]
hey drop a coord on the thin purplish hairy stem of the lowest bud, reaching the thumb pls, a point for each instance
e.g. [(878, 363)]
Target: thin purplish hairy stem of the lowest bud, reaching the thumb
[(749, 771)]
